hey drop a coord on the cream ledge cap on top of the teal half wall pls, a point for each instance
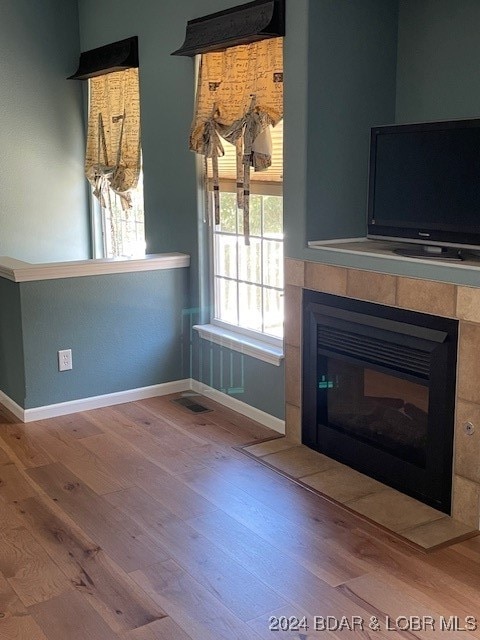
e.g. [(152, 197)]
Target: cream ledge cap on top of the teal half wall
[(19, 271)]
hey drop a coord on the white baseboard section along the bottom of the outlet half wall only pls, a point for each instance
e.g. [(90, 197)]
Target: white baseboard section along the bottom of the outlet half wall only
[(106, 400)]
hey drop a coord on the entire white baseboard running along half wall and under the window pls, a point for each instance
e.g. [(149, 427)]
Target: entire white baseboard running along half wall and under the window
[(131, 395)]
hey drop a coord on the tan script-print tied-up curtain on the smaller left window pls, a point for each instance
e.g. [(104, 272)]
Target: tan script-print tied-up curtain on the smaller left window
[(113, 156)]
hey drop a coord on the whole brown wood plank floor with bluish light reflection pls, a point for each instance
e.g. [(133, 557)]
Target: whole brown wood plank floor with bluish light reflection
[(142, 522)]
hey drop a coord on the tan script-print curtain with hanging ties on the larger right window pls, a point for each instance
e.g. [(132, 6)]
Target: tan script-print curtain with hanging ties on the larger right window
[(239, 96)]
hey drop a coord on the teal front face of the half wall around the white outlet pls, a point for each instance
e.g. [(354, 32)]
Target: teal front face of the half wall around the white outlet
[(125, 331)]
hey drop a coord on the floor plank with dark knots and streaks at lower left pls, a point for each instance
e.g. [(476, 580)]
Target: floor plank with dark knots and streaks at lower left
[(109, 590)]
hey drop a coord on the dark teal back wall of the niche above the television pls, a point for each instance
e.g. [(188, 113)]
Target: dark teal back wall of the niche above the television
[(438, 60)]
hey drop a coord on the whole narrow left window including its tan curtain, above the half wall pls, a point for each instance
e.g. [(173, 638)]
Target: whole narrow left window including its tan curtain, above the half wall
[(113, 164)]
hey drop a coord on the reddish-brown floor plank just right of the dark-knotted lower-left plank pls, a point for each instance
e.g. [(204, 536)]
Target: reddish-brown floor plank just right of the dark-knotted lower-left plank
[(121, 538)]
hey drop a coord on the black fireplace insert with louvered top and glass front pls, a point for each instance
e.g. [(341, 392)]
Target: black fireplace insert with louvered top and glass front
[(379, 392)]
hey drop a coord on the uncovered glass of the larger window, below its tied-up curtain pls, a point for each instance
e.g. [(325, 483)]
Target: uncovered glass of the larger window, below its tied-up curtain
[(248, 278)]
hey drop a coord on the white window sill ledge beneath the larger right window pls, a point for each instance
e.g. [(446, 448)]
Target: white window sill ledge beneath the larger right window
[(243, 344)]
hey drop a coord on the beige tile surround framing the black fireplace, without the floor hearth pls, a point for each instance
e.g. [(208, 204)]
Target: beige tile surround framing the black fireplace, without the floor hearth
[(443, 299)]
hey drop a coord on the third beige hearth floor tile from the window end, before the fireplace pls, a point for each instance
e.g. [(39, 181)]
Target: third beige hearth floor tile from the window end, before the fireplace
[(342, 483)]
